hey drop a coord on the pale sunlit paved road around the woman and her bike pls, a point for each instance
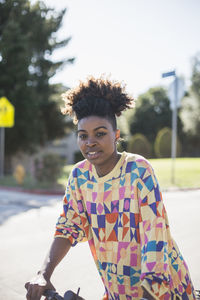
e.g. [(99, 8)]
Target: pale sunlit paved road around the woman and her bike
[(26, 237)]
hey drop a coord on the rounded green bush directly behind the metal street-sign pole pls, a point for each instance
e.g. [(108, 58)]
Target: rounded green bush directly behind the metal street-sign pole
[(163, 141)]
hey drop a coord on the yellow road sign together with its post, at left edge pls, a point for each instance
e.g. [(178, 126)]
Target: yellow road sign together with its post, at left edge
[(7, 113)]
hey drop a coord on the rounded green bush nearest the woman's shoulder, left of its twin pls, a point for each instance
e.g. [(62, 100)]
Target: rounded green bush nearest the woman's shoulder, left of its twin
[(139, 144)]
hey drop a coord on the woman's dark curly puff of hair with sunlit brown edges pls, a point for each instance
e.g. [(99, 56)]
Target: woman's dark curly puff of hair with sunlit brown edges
[(95, 89)]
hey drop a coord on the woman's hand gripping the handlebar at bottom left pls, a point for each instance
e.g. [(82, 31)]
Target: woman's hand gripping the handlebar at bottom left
[(37, 286)]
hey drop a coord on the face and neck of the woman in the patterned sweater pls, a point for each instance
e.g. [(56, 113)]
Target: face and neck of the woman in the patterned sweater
[(97, 142)]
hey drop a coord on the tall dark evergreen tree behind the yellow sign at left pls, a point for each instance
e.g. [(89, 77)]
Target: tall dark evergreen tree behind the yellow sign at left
[(27, 41)]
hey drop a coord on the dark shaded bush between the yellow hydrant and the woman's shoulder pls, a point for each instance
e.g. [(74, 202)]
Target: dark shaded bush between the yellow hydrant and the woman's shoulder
[(48, 168)]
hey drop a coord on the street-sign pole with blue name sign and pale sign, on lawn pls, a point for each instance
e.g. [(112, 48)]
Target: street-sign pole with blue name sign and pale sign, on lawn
[(175, 94)]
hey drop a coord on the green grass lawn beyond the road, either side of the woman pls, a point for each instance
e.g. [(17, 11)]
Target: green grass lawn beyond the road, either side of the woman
[(187, 175)]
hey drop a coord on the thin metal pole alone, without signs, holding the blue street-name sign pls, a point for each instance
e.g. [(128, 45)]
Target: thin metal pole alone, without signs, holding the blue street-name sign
[(174, 131)]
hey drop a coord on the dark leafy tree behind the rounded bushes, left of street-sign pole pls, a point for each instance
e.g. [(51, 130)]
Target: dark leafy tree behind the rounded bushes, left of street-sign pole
[(152, 113)]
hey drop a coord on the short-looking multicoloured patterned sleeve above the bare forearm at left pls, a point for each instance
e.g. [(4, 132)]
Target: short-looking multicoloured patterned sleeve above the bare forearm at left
[(69, 224)]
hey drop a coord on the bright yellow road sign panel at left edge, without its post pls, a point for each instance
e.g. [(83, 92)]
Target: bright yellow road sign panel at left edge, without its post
[(7, 112)]
